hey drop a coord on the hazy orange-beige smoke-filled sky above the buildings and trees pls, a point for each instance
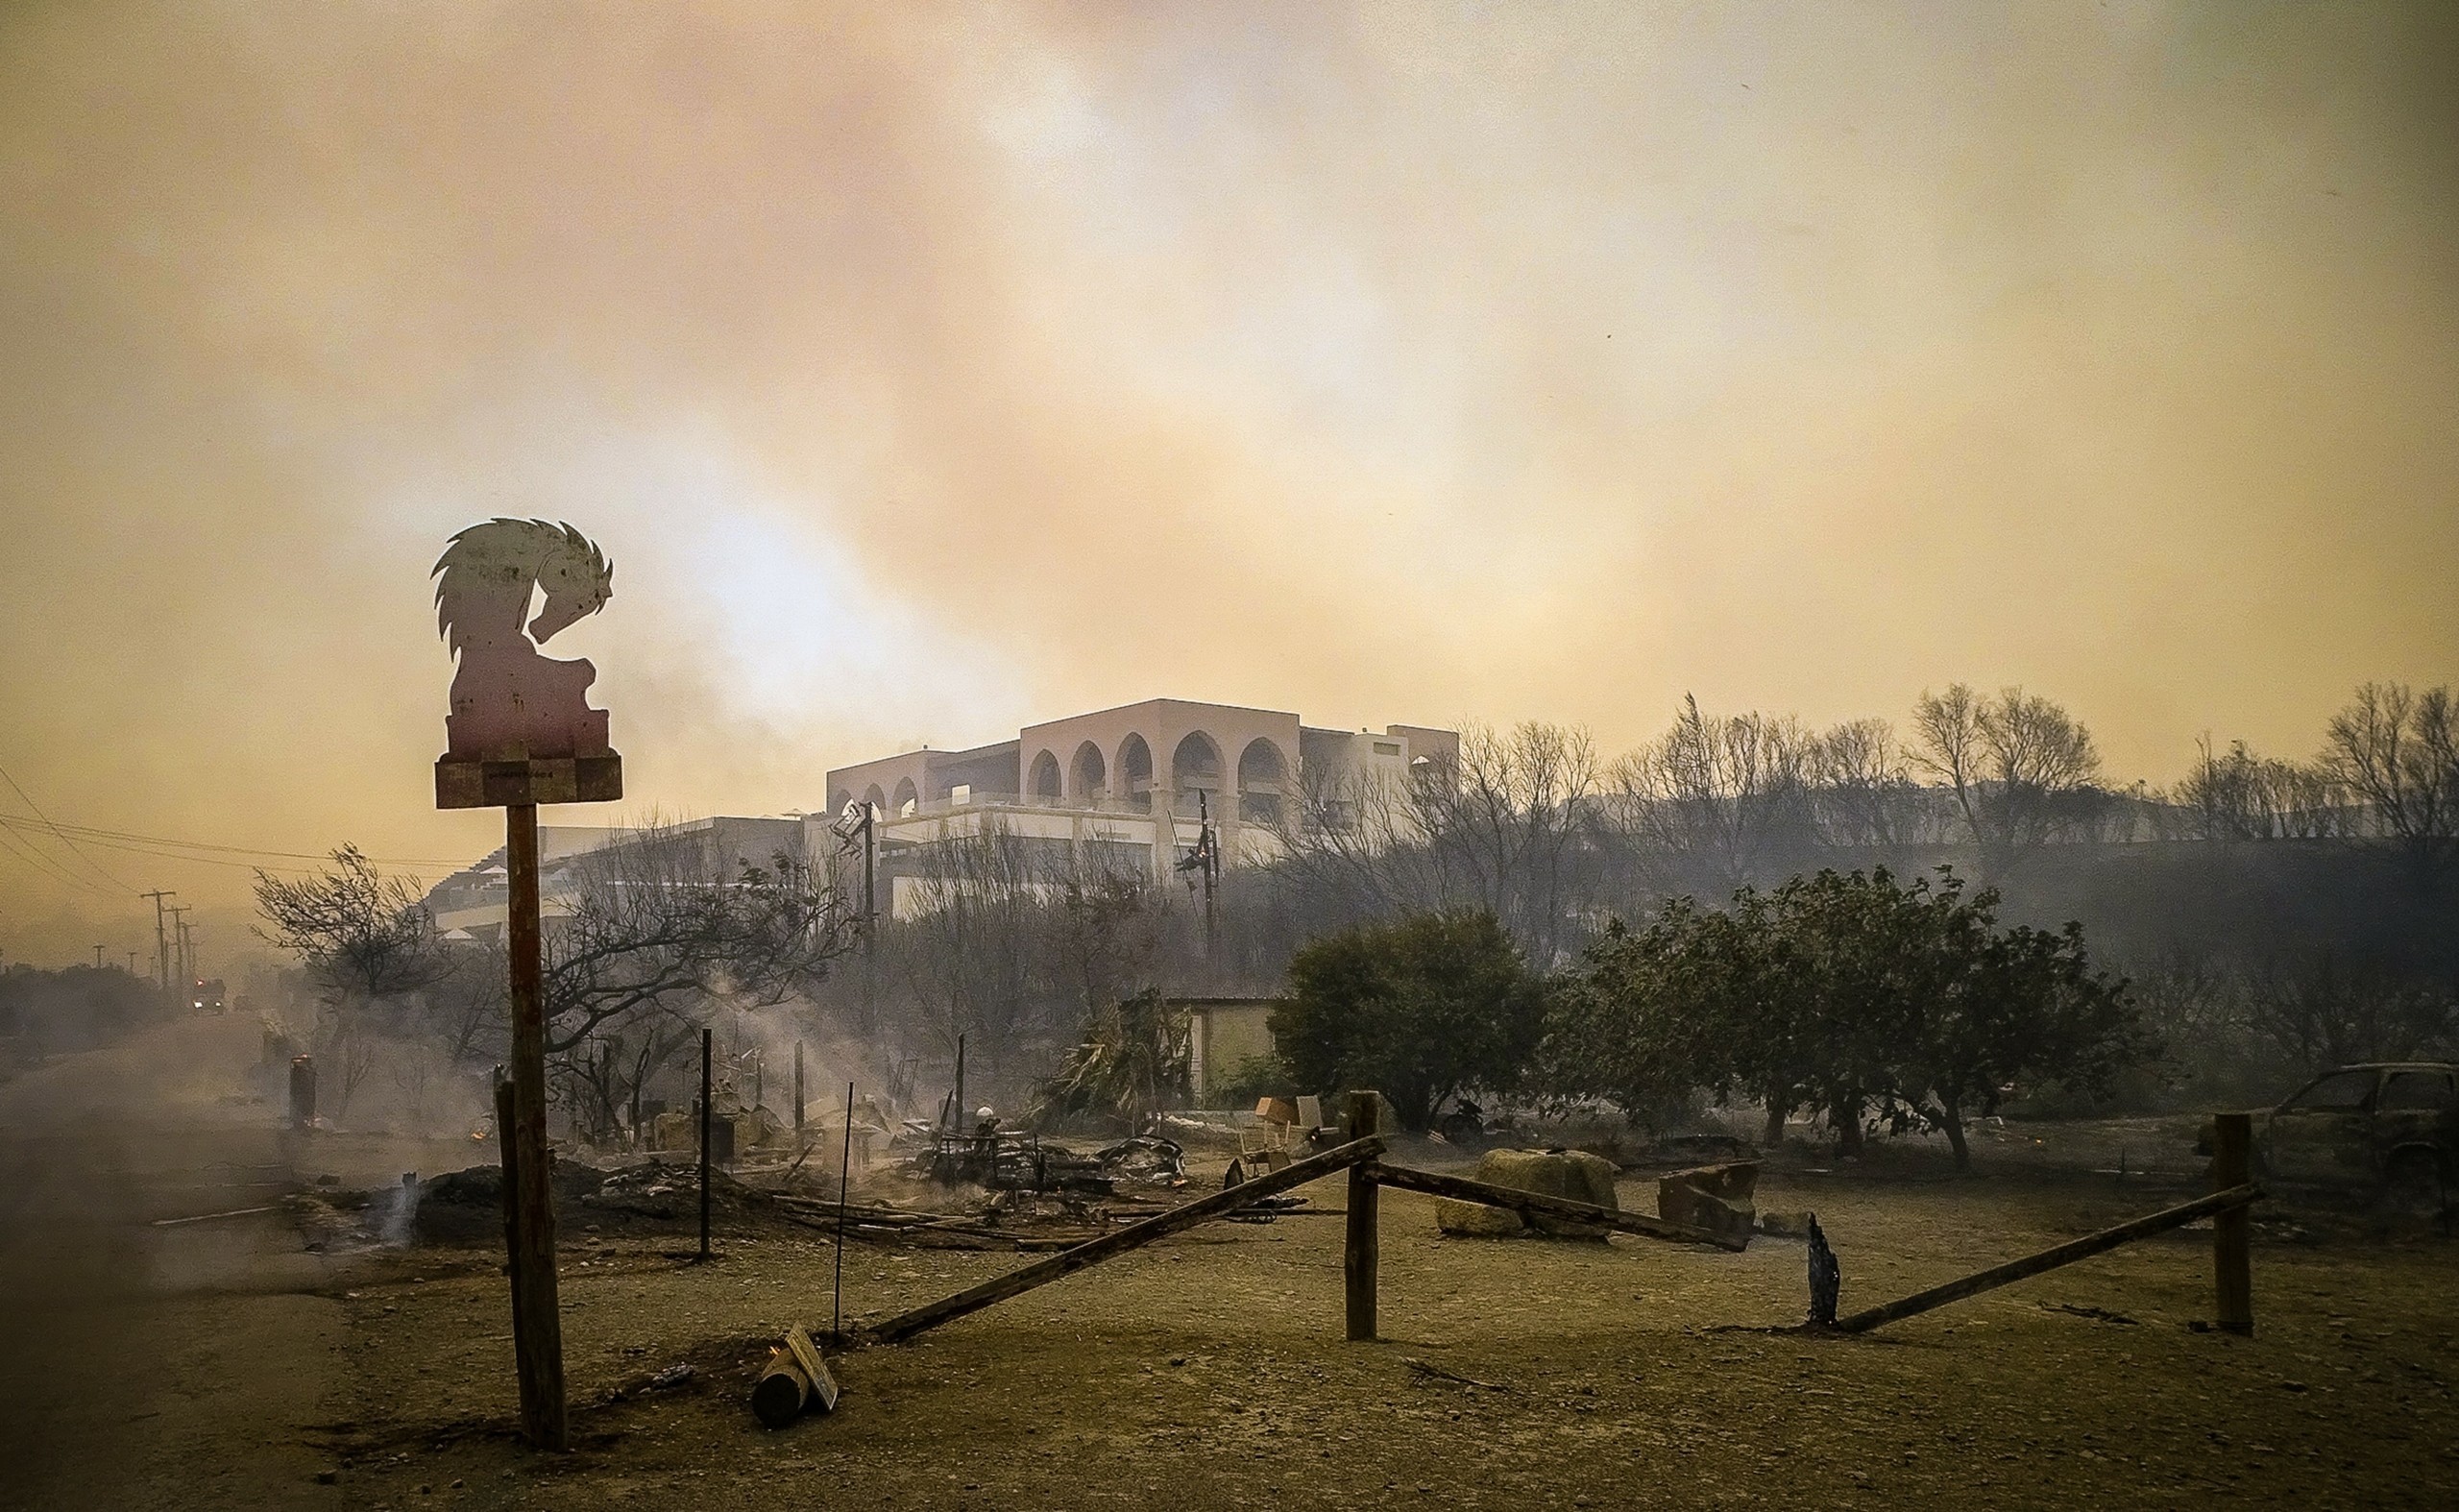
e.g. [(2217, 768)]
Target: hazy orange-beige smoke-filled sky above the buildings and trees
[(931, 370)]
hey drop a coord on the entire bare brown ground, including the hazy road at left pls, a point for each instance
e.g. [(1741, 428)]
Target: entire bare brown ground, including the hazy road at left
[(213, 1366)]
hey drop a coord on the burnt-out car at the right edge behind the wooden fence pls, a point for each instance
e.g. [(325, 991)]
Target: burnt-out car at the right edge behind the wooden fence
[(2391, 1127)]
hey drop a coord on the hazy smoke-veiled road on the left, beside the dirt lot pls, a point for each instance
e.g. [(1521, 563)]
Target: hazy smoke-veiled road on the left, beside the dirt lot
[(154, 1366)]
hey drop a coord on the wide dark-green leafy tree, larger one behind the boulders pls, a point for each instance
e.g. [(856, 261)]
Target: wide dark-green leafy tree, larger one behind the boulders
[(1845, 992)]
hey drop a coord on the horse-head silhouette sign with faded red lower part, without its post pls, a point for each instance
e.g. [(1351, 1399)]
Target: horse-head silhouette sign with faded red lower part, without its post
[(523, 729)]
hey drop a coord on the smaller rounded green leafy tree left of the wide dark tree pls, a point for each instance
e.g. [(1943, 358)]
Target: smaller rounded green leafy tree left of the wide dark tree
[(1418, 1009)]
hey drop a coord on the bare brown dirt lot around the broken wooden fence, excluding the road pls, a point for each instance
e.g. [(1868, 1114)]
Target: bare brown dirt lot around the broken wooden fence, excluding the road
[(1211, 1373)]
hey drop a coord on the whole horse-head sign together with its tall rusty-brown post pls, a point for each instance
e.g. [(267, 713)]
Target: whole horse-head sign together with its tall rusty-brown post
[(523, 734)]
